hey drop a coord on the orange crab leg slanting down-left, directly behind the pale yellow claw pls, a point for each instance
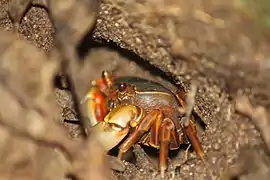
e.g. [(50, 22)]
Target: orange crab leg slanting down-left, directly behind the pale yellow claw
[(142, 128)]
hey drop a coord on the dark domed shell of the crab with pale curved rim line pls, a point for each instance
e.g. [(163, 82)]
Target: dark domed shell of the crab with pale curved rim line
[(148, 95)]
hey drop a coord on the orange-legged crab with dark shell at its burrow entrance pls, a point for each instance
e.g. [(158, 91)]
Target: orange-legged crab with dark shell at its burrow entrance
[(128, 110)]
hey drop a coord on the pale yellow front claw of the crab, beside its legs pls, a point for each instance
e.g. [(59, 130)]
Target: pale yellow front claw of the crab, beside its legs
[(115, 126)]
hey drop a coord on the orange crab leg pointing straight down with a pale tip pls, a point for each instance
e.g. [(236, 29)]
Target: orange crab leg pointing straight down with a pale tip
[(165, 138)]
